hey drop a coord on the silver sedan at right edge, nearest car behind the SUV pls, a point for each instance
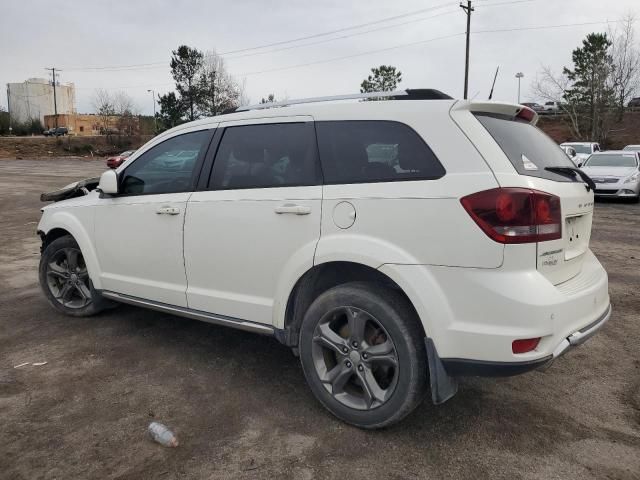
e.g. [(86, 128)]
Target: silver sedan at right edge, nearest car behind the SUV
[(616, 173)]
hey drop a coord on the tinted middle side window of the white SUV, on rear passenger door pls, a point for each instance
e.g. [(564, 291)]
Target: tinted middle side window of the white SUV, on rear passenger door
[(266, 156)]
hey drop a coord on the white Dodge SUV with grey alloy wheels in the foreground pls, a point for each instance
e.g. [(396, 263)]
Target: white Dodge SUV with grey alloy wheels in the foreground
[(392, 244)]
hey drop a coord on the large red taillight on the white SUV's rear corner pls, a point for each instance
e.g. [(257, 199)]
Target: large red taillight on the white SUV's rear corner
[(516, 215)]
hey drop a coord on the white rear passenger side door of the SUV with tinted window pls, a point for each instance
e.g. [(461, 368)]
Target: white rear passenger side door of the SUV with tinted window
[(258, 223)]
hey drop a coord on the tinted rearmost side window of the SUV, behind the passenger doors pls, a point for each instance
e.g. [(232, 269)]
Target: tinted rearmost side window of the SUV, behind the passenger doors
[(364, 151)]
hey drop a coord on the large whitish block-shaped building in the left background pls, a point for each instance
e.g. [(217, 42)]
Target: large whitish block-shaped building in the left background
[(33, 99)]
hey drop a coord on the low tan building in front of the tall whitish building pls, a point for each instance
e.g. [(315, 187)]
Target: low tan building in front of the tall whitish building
[(90, 124)]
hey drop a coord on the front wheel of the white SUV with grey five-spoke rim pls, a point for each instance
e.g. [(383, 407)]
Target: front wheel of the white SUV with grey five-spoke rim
[(65, 281)]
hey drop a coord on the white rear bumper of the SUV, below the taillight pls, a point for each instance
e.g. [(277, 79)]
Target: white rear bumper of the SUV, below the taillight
[(474, 315)]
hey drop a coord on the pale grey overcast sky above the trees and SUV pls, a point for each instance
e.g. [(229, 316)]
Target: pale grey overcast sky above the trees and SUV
[(74, 35)]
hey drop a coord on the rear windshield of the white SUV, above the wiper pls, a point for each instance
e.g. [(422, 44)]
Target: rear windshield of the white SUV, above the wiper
[(528, 149)]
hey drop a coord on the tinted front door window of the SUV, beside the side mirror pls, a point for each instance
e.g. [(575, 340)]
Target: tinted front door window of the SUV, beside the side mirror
[(168, 167)]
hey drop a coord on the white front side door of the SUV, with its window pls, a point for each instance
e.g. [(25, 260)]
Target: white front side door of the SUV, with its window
[(139, 231)]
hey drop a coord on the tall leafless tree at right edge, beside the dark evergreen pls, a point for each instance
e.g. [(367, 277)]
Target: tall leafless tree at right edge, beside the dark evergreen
[(626, 61)]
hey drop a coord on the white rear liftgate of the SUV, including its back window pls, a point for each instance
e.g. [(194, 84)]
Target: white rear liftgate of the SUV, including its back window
[(529, 152)]
